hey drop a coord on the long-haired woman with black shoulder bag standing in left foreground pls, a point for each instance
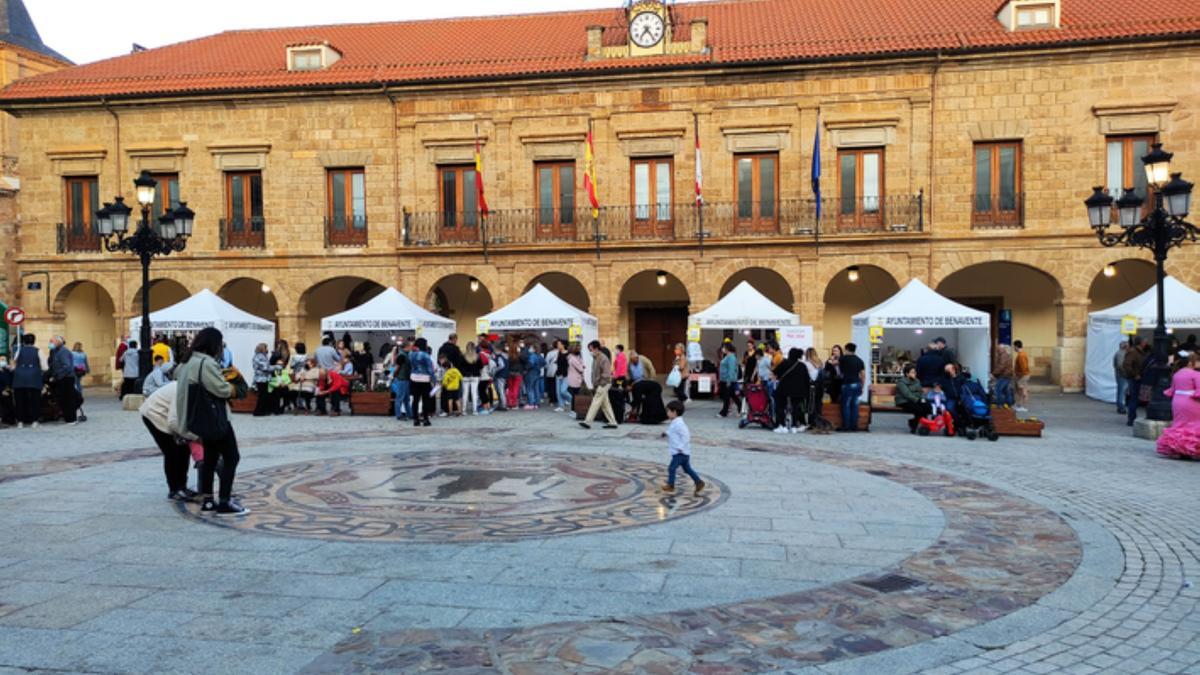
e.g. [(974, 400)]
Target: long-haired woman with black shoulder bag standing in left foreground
[(201, 377)]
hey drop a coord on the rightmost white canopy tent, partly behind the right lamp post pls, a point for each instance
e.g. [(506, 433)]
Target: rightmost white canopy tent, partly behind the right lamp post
[(1105, 331)]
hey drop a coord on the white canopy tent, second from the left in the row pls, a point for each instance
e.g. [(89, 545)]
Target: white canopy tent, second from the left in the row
[(387, 316)]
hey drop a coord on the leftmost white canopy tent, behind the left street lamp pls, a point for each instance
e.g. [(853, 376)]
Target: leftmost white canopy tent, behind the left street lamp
[(243, 331)]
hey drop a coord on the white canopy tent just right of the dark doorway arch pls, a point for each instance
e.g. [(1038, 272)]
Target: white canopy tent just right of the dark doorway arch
[(743, 309)]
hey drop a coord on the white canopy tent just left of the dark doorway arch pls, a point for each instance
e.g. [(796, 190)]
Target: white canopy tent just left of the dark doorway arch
[(539, 310)]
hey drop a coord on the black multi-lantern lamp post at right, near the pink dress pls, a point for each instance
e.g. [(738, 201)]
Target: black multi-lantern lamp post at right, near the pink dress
[(1161, 231)]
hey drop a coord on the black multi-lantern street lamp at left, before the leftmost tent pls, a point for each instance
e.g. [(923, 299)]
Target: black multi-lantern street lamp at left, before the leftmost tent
[(166, 236)]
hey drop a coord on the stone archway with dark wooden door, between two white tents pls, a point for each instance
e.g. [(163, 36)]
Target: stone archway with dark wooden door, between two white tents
[(655, 316)]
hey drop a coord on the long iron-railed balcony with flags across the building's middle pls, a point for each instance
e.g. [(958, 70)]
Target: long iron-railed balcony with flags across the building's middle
[(790, 219)]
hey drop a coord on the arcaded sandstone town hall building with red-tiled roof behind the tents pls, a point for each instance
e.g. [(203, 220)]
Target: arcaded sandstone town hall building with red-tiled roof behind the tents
[(927, 120)]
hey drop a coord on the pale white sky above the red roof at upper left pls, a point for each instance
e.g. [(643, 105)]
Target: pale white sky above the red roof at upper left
[(91, 31)]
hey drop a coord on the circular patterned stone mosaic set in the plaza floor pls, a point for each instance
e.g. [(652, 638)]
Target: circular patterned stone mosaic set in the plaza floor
[(452, 497)]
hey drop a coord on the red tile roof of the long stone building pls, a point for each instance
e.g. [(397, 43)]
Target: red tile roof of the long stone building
[(740, 32)]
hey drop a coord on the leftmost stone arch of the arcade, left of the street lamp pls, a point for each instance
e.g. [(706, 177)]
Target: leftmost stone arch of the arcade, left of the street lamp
[(89, 316)]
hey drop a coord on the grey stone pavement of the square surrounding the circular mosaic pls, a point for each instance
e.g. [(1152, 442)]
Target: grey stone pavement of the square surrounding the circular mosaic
[(100, 575)]
